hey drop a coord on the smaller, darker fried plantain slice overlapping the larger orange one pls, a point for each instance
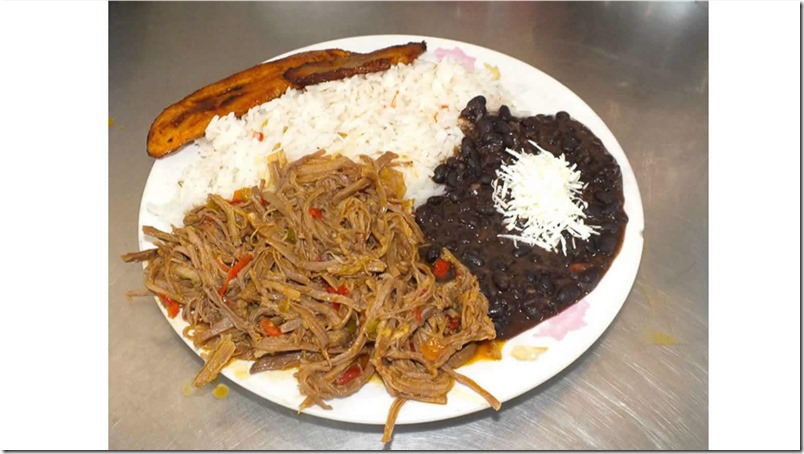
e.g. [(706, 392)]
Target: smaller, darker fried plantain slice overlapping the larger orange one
[(340, 68)]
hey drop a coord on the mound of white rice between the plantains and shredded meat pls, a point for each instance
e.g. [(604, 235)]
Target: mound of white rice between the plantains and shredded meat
[(411, 110)]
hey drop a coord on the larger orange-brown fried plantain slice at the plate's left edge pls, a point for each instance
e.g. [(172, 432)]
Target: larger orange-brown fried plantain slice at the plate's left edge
[(187, 119)]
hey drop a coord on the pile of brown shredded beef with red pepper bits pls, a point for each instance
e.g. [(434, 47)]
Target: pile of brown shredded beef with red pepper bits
[(321, 271)]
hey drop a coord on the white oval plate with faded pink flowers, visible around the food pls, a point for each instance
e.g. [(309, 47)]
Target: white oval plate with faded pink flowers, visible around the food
[(565, 336)]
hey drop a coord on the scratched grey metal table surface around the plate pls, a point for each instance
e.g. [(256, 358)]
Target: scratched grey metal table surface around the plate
[(641, 66)]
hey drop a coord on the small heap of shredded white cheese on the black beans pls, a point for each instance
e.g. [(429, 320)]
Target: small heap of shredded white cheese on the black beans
[(539, 198)]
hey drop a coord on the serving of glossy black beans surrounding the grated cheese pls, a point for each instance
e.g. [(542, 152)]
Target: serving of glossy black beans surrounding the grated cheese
[(531, 284)]
